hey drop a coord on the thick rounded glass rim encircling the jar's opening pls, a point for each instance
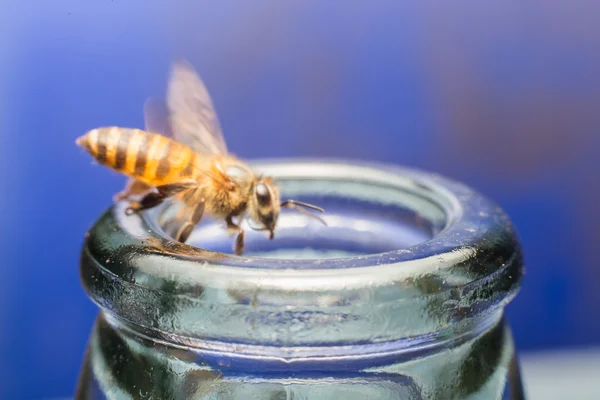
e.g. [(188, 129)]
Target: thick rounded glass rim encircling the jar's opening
[(475, 259)]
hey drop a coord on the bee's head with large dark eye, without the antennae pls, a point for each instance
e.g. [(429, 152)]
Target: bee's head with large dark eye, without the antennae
[(265, 204)]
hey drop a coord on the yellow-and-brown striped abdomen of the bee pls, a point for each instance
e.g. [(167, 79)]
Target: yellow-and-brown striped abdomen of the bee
[(148, 157)]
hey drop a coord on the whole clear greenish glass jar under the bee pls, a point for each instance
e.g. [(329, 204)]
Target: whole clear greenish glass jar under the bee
[(401, 296)]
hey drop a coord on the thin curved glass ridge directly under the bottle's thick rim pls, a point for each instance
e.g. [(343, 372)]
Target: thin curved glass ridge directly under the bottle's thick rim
[(275, 358)]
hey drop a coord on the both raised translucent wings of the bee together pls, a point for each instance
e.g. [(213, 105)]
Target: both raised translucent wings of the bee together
[(188, 115)]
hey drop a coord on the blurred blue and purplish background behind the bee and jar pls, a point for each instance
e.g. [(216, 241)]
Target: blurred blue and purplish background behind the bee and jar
[(504, 96)]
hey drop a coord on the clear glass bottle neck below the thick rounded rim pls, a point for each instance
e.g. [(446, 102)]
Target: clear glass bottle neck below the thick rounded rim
[(125, 362)]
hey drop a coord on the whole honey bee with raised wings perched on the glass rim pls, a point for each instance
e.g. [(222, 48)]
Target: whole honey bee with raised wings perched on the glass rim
[(181, 153)]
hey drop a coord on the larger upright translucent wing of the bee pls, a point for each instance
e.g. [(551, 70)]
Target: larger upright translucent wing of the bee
[(193, 119)]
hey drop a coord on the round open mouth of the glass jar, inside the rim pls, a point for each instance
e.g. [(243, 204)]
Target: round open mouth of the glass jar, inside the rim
[(374, 215)]
